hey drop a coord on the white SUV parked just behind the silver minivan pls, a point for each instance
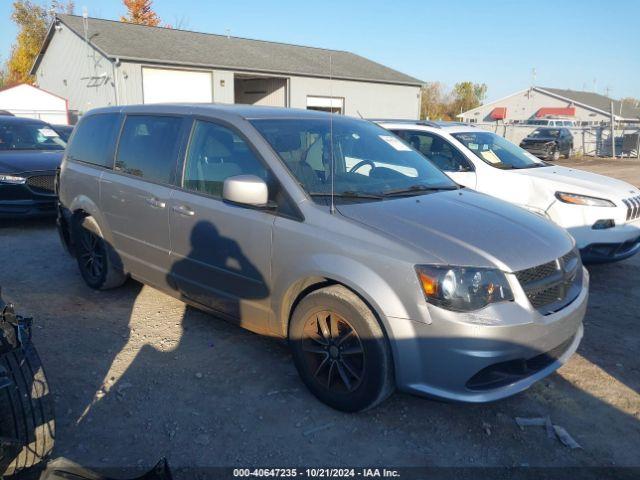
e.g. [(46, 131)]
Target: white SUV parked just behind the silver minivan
[(601, 213)]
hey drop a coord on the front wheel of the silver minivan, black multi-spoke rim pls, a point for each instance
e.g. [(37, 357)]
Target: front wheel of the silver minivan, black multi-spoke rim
[(340, 350)]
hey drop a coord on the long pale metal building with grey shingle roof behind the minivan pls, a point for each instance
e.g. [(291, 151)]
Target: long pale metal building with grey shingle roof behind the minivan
[(94, 63)]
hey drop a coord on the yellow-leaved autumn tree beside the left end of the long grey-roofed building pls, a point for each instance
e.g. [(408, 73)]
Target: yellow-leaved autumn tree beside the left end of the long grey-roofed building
[(32, 20)]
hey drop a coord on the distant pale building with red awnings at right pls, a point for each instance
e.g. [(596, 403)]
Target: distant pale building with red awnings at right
[(585, 108)]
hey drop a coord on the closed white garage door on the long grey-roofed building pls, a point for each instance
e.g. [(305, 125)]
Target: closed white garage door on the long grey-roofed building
[(164, 85)]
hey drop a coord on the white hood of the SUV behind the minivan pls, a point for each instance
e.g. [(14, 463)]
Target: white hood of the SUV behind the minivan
[(570, 180)]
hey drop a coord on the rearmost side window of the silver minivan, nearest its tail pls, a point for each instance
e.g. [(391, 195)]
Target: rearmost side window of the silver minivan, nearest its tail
[(94, 139)]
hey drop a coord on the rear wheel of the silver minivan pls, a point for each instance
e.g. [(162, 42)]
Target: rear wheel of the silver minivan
[(96, 258)]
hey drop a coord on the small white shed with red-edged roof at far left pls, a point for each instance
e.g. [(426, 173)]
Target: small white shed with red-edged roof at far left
[(31, 102)]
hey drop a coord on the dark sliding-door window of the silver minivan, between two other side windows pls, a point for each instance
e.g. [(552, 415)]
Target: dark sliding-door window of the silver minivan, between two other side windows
[(149, 147)]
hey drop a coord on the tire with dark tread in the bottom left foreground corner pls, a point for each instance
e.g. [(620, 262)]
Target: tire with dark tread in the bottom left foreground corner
[(26, 412)]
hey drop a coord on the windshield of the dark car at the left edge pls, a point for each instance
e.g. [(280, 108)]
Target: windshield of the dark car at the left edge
[(29, 136)]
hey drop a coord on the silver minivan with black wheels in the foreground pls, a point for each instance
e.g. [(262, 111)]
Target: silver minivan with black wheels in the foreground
[(383, 274)]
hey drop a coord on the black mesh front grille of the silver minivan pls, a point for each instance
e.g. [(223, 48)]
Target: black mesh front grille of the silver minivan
[(550, 286)]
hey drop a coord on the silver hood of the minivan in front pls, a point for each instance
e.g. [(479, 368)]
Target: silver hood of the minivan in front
[(467, 228)]
